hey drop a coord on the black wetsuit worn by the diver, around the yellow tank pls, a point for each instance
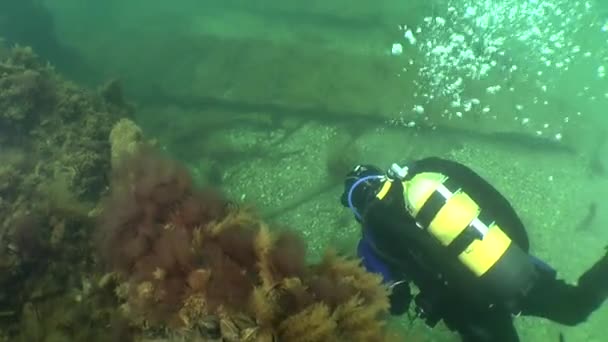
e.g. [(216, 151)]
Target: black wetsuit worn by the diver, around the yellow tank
[(411, 254)]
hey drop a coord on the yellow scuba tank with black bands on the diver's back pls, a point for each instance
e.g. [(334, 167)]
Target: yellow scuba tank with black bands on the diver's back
[(503, 270)]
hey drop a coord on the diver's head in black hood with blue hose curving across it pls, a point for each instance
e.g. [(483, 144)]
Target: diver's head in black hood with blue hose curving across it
[(360, 187)]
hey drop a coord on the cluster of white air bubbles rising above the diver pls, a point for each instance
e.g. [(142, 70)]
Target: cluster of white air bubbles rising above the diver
[(500, 44)]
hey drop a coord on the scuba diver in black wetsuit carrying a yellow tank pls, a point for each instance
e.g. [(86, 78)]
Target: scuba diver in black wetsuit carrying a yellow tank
[(438, 225)]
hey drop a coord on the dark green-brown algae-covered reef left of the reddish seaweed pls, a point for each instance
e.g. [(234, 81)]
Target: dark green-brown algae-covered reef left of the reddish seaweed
[(54, 163)]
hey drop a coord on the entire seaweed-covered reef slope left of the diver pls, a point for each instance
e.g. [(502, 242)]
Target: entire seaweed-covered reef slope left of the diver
[(104, 238)]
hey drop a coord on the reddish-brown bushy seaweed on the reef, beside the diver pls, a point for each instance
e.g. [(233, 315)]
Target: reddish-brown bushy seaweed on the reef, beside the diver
[(186, 255)]
